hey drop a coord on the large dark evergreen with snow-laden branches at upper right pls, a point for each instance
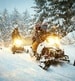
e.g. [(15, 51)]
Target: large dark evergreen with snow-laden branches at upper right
[(55, 12)]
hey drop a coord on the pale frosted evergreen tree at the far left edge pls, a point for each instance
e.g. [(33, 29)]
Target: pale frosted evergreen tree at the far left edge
[(4, 24)]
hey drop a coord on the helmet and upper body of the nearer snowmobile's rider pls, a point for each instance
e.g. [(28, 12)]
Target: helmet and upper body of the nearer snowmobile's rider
[(40, 30)]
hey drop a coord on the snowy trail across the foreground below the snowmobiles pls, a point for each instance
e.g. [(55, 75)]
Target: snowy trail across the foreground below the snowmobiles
[(21, 67)]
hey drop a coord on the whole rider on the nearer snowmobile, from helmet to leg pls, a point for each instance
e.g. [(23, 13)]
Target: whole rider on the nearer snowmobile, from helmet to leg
[(38, 37)]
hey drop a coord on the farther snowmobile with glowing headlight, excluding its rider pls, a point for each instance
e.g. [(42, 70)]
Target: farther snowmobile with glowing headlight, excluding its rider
[(17, 46)]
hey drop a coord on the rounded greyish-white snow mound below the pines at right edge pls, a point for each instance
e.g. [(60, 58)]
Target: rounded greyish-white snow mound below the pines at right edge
[(69, 38)]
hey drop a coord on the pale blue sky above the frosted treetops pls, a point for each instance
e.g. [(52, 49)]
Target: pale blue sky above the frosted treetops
[(20, 5)]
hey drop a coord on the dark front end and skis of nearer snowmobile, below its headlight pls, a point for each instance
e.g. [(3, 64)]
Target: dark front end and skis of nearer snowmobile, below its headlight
[(51, 56)]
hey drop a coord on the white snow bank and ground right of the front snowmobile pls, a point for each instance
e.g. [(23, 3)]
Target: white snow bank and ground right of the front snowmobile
[(68, 43)]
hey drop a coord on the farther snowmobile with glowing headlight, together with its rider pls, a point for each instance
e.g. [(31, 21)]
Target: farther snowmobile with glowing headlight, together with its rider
[(17, 41)]
